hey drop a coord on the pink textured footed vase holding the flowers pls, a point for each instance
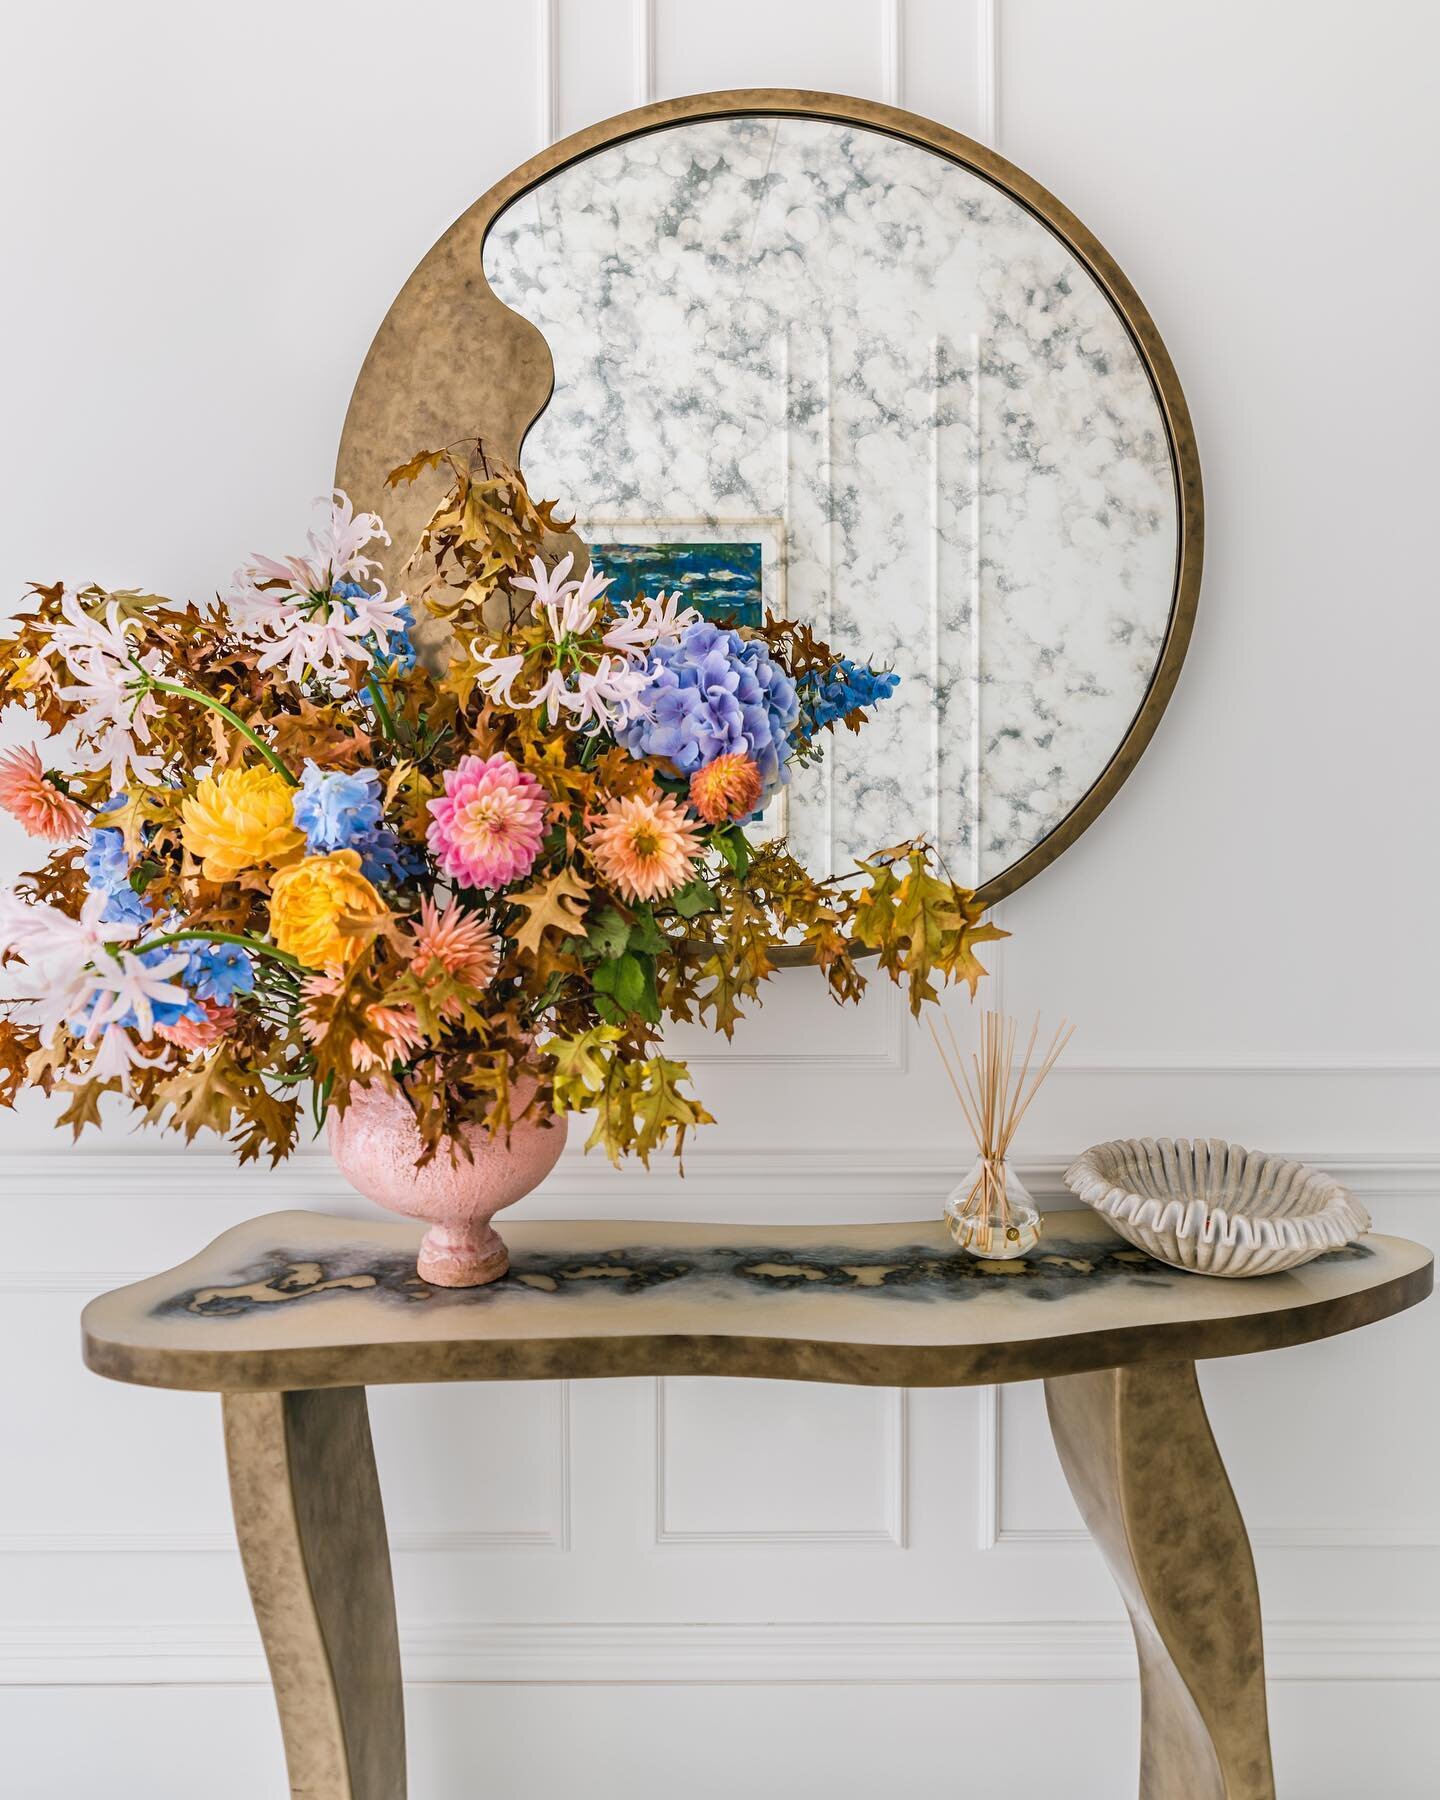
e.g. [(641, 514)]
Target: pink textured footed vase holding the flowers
[(377, 1146)]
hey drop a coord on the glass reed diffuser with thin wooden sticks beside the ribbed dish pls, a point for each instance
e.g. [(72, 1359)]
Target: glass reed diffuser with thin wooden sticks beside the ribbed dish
[(991, 1212)]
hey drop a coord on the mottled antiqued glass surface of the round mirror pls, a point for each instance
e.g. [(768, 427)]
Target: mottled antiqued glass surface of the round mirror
[(915, 399)]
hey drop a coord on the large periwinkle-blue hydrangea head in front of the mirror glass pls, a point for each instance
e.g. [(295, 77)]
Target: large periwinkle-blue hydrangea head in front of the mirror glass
[(715, 694)]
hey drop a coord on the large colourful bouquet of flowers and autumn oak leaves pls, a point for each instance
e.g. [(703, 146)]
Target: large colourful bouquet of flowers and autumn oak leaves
[(474, 841)]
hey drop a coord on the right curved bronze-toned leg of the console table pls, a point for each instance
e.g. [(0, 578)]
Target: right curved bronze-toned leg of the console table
[(1149, 1480)]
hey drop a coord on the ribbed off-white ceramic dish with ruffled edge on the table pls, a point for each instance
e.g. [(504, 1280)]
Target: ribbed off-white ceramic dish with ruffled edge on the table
[(1214, 1207)]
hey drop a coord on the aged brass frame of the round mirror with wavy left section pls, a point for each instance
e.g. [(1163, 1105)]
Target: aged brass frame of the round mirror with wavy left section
[(453, 361)]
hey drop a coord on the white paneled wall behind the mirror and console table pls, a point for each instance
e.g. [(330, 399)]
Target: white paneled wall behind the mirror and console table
[(834, 1592)]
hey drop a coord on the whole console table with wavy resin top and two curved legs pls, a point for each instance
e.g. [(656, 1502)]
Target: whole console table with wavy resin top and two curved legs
[(294, 1315)]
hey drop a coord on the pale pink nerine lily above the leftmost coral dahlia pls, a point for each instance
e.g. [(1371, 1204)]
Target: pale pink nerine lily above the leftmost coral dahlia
[(114, 712)]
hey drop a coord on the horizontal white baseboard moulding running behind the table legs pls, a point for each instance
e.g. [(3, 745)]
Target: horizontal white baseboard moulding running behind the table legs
[(1038, 1651)]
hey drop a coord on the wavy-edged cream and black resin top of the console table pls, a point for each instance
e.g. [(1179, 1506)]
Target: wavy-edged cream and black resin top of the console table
[(305, 1300)]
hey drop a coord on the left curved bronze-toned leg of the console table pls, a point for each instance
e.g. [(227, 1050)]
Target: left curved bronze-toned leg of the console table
[(312, 1533)]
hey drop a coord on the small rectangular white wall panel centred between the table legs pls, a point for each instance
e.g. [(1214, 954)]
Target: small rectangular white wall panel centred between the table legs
[(750, 1462)]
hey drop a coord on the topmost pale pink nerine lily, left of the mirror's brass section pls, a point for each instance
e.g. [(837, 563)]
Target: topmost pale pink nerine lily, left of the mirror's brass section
[(300, 622)]
